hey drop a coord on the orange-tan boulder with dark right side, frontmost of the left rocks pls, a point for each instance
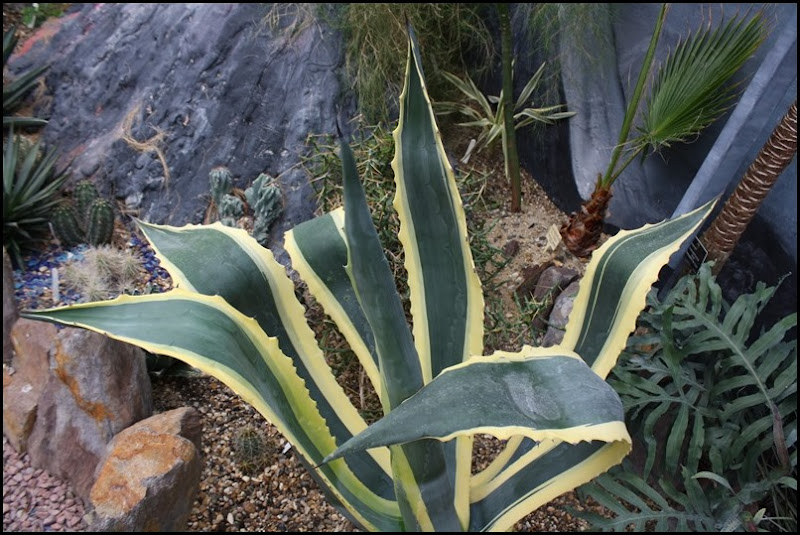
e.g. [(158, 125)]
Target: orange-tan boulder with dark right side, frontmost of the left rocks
[(149, 477)]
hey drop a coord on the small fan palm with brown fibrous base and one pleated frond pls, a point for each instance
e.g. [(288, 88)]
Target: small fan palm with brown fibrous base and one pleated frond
[(690, 91)]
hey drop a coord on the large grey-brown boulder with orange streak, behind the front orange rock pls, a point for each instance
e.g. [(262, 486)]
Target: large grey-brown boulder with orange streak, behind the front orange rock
[(96, 388)]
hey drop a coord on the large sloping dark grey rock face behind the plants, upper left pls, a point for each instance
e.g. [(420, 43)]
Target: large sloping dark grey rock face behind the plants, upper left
[(214, 79)]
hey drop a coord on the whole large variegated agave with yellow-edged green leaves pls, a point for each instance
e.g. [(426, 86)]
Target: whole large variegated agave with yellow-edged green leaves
[(234, 315)]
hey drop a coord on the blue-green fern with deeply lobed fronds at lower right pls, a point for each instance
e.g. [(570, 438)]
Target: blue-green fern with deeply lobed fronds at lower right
[(716, 407)]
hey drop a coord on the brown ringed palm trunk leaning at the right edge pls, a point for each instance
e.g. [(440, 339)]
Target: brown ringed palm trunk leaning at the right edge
[(723, 235)]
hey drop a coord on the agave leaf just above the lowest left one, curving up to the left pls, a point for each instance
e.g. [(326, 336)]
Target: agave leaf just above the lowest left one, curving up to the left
[(249, 278)]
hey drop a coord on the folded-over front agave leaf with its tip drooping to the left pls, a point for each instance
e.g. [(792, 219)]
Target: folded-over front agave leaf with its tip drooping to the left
[(539, 393)]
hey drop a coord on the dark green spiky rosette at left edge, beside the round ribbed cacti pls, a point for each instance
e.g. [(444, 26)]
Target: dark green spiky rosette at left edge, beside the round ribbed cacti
[(30, 191)]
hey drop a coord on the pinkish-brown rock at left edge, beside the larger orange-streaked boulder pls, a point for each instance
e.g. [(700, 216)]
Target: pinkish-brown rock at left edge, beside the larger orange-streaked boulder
[(25, 378)]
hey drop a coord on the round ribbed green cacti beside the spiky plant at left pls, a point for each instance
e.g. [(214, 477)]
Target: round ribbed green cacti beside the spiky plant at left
[(87, 219)]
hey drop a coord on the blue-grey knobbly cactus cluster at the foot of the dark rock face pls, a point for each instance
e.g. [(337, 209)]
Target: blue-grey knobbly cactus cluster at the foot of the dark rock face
[(263, 197)]
